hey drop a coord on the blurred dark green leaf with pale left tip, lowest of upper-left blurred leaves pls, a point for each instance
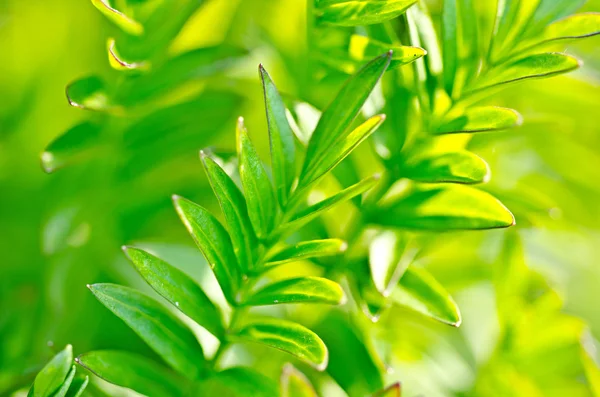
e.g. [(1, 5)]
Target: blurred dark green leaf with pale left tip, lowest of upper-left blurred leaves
[(75, 144)]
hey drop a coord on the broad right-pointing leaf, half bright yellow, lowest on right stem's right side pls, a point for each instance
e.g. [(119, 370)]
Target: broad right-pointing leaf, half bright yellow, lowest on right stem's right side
[(447, 207)]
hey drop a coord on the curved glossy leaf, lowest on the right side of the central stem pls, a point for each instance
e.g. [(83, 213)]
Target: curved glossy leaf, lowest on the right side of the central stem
[(288, 336)]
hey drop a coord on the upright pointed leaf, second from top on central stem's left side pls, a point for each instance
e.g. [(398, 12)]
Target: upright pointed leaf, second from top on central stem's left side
[(257, 187)]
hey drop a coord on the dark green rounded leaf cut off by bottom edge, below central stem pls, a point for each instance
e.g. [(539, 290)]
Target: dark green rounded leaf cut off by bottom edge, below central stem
[(238, 382)]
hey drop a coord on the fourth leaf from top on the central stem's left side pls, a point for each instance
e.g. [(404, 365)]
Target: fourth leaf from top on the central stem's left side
[(214, 242)]
